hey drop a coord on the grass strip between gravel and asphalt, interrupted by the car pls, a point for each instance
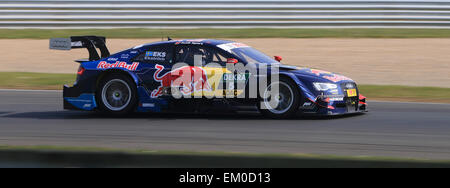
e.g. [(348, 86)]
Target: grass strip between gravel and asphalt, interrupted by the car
[(14, 80)]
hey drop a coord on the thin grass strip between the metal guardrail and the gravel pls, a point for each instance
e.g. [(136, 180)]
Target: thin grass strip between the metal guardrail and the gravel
[(227, 33)]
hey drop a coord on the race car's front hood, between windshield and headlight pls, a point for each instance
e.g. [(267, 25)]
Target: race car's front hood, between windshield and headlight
[(315, 75)]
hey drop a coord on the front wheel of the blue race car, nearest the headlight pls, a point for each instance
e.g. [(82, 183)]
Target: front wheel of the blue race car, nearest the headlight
[(286, 102)]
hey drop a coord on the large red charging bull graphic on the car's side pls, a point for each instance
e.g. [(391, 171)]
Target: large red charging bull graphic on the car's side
[(189, 79)]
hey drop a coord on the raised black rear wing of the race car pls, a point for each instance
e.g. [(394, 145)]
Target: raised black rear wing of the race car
[(91, 43)]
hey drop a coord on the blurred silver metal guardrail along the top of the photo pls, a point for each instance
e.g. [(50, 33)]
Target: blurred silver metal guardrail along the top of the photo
[(224, 14)]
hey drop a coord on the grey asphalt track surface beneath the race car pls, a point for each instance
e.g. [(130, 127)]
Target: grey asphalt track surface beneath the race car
[(416, 130)]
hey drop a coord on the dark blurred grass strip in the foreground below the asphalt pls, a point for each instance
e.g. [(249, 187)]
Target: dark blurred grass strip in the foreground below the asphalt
[(60, 156)]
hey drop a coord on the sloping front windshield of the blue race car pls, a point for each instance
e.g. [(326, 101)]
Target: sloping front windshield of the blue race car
[(247, 53)]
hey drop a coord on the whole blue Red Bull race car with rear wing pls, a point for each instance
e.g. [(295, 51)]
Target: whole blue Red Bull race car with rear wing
[(146, 78)]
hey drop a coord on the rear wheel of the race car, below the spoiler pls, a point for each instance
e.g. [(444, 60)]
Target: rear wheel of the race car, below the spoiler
[(117, 94)]
